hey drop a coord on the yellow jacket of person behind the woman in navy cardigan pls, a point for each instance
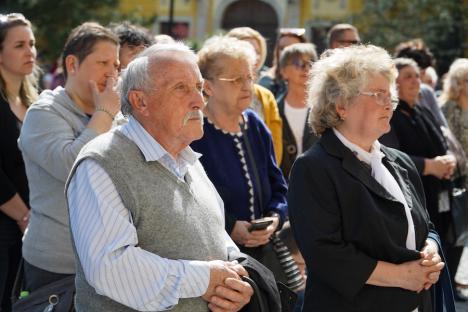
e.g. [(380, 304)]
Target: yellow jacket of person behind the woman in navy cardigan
[(271, 118)]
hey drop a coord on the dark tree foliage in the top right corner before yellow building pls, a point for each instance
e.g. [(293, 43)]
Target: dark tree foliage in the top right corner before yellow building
[(439, 23)]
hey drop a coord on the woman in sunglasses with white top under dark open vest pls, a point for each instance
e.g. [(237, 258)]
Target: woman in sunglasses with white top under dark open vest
[(295, 64)]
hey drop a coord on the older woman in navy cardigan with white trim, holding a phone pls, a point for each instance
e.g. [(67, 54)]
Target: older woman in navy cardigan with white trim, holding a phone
[(237, 147)]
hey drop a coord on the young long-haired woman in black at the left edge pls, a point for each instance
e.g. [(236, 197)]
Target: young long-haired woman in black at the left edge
[(17, 92)]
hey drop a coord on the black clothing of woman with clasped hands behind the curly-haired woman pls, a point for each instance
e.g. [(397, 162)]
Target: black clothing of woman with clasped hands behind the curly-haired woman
[(416, 133)]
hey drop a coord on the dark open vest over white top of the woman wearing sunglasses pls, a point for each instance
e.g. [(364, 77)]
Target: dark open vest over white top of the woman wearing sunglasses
[(289, 141)]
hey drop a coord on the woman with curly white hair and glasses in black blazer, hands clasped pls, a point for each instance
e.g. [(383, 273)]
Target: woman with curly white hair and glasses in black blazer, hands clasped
[(357, 207)]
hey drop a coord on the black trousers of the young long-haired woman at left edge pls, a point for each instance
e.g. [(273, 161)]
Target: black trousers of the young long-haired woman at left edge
[(10, 257)]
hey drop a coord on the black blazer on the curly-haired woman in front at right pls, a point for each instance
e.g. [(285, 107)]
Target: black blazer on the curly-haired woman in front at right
[(344, 221)]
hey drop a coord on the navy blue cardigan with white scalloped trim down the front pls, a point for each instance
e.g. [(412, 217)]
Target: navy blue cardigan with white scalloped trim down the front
[(223, 165)]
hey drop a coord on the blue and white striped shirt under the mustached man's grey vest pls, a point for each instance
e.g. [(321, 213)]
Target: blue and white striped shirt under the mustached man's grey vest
[(106, 239)]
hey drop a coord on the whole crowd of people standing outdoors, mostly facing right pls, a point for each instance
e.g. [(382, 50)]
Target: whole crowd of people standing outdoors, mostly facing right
[(150, 172)]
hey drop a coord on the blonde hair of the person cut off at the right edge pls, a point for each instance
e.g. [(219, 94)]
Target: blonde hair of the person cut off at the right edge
[(454, 80)]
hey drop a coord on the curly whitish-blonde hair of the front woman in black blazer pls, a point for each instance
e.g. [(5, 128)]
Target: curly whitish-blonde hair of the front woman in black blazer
[(340, 75)]
